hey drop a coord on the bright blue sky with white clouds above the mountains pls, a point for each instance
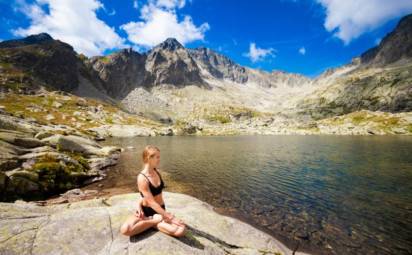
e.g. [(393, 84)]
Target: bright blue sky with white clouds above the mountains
[(299, 36)]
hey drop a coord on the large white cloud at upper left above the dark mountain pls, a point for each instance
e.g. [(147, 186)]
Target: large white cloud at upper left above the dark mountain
[(74, 22)]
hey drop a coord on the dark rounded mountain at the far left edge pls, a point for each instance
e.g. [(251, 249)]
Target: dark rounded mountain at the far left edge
[(39, 60)]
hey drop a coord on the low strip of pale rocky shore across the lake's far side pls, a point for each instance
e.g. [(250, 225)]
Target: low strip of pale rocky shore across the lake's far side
[(357, 123)]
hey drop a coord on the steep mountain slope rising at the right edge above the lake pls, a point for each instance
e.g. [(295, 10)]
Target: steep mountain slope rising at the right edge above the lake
[(379, 80)]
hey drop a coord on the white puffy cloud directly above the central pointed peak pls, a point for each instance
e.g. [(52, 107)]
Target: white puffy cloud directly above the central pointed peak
[(160, 21)]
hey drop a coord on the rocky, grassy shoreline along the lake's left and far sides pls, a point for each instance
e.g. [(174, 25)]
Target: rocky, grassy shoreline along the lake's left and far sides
[(43, 153)]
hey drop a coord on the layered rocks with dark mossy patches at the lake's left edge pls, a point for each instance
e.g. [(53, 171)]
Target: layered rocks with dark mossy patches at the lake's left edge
[(38, 161)]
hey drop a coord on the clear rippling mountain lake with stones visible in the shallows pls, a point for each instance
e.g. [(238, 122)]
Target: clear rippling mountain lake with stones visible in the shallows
[(320, 194)]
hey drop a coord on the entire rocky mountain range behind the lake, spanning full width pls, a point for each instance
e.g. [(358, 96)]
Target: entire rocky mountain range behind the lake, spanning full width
[(171, 81)]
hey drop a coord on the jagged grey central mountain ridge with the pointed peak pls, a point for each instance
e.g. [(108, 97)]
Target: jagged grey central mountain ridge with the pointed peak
[(171, 63)]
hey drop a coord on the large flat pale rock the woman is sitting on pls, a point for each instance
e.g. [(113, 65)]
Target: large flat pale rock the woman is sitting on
[(93, 227)]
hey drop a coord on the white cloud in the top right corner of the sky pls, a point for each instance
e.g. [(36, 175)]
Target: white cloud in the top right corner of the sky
[(349, 19)]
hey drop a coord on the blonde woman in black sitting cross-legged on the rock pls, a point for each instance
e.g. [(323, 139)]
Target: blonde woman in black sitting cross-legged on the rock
[(151, 210)]
